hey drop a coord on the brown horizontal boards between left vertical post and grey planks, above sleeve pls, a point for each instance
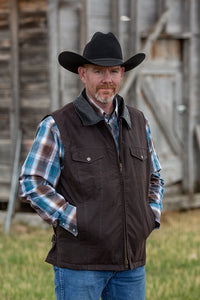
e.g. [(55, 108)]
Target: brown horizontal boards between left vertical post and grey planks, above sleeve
[(33, 64)]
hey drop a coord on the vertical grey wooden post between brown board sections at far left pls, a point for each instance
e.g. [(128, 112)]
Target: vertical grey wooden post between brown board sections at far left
[(14, 69)]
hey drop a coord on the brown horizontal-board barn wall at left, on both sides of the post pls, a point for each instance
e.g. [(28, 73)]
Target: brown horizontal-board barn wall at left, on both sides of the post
[(33, 64)]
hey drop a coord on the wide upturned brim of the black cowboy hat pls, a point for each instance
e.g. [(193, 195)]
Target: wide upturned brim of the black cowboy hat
[(71, 61)]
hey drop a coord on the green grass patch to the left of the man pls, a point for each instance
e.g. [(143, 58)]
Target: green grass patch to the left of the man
[(23, 272)]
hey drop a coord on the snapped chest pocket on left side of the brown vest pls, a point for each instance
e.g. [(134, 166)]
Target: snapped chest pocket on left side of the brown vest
[(88, 173)]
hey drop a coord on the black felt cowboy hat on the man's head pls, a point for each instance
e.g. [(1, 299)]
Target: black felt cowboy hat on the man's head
[(102, 50)]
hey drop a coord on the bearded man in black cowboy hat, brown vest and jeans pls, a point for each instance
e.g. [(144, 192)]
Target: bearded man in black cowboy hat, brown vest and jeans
[(93, 174)]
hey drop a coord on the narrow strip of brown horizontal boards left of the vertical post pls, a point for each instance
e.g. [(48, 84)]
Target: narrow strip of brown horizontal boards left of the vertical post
[(5, 99)]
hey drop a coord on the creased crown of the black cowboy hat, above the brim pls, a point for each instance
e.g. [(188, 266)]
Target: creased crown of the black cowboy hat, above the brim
[(103, 46)]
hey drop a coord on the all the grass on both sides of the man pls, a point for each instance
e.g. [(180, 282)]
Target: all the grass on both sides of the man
[(172, 270)]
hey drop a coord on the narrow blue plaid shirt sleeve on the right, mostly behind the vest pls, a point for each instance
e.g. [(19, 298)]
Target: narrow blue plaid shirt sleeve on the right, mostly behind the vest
[(156, 188)]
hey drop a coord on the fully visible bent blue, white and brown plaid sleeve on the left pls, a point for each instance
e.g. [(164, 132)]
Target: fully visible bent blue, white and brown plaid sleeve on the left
[(40, 174)]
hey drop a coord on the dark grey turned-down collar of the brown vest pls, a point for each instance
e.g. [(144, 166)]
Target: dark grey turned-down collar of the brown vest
[(90, 117)]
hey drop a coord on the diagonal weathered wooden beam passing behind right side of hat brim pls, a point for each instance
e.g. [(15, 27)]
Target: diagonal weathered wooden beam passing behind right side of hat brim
[(157, 29)]
